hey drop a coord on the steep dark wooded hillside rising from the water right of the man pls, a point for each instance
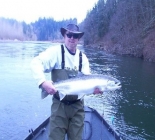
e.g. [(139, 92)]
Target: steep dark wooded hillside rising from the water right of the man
[(122, 27)]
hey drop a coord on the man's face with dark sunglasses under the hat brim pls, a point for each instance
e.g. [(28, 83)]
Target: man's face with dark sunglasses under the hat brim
[(71, 40)]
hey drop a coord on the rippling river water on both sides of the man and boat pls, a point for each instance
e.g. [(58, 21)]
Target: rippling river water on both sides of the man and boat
[(21, 106)]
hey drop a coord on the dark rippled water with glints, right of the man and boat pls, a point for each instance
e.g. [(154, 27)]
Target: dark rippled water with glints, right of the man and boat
[(133, 106)]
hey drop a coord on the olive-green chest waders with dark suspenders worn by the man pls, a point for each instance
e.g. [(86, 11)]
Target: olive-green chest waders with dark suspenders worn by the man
[(67, 115)]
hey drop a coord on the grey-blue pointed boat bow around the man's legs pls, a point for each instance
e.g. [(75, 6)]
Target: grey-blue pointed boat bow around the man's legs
[(95, 127)]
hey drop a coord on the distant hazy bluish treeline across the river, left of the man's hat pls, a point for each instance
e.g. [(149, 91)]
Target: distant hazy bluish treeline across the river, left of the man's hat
[(42, 30)]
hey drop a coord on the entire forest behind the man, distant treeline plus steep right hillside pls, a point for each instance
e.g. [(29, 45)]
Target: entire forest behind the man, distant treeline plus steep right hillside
[(125, 27)]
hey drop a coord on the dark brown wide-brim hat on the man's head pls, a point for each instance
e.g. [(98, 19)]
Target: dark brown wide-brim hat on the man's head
[(71, 28)]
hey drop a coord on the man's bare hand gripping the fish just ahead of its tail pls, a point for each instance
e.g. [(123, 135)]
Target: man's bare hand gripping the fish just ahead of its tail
[(49, 87)]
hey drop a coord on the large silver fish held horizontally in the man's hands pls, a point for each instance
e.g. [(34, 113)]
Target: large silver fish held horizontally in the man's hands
[(85, 85)]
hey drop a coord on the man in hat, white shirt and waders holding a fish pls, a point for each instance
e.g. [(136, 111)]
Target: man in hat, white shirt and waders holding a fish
[(64, 61)]
